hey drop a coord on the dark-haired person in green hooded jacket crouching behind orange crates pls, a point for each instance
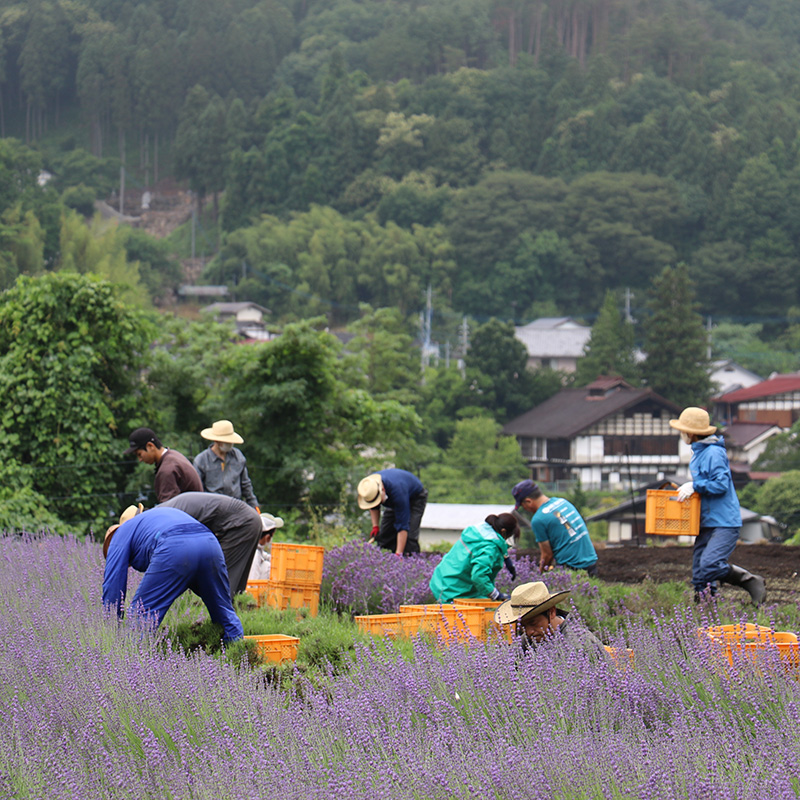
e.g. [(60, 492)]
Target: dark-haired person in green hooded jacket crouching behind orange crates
[(472, 564)]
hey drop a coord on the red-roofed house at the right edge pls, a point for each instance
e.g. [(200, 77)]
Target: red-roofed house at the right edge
[(775, 401)]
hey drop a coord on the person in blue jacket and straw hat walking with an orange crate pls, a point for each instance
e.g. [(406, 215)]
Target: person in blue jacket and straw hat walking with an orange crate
[(720, 515)]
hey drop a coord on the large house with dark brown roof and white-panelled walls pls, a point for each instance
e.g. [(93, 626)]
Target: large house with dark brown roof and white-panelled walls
[(607, 435)]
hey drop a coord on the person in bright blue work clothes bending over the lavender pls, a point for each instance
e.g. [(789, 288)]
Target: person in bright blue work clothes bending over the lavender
[(175, 553)]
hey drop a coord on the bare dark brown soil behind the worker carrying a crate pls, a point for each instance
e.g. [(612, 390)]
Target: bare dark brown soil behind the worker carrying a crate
[(779, 564)]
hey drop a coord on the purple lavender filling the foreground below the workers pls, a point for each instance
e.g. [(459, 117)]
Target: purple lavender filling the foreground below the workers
[(90, 709)]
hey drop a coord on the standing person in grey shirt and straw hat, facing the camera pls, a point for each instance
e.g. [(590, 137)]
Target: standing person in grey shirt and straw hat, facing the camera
[(223, 467)]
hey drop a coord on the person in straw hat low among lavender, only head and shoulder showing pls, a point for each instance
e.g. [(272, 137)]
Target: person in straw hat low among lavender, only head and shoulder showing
[(533, 606)]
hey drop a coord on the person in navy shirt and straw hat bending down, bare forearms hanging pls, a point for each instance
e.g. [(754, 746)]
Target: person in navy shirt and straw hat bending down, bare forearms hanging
[(403, 498)]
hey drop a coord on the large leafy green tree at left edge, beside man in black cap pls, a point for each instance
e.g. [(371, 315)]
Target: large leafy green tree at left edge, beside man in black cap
[(70, 354)]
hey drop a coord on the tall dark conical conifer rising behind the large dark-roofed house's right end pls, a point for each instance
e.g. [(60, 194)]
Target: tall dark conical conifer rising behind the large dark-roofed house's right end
[(676, 341)]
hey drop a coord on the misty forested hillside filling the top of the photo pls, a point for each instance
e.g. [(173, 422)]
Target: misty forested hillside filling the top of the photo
[(521, 158)]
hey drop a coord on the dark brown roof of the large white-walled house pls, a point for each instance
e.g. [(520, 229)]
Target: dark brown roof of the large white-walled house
[(571, 411)]
